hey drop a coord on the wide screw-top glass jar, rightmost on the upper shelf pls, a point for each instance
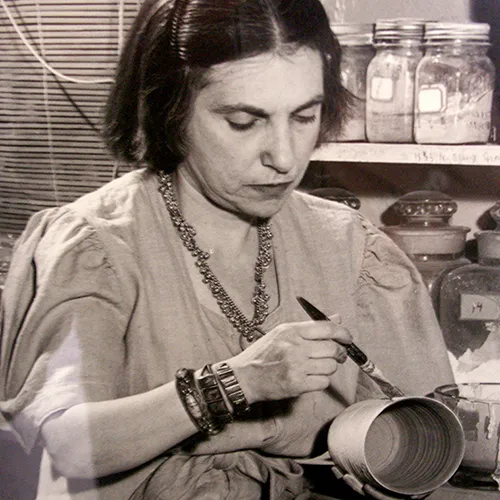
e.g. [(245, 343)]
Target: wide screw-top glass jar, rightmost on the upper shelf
[(455, 81)]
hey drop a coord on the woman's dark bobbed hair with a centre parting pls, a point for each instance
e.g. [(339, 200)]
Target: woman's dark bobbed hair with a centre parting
[(171, 46)]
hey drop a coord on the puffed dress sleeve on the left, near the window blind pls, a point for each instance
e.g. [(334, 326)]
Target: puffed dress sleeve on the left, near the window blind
[(63, 322)]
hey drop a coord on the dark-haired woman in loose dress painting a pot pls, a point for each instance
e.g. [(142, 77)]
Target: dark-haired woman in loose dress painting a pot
[(144, 378)]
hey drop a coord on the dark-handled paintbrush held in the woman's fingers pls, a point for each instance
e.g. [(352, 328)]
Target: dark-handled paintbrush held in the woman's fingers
[(356, 354)]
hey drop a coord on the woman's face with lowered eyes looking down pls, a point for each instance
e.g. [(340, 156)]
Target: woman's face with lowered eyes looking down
[(252, 130)]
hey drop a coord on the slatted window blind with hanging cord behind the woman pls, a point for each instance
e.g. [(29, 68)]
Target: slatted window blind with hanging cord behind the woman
[(50, 148)]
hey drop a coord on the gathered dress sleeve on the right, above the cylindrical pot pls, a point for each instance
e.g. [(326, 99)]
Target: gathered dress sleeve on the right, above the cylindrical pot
[(397, 324)]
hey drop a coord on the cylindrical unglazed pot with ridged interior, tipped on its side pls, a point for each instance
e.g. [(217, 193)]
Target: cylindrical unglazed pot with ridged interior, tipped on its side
[(408, 446)]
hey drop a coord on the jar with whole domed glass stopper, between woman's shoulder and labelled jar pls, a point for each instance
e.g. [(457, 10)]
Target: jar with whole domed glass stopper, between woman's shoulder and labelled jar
[(425, 235)]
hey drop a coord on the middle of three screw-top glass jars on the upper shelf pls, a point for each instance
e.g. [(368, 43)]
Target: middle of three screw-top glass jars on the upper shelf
[(391, 80)]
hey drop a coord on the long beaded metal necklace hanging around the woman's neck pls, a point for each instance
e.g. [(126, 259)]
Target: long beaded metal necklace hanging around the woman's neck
[(260, 300)]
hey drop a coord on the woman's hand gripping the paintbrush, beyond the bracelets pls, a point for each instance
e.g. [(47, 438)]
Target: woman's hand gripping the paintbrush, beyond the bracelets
[(290, 360)]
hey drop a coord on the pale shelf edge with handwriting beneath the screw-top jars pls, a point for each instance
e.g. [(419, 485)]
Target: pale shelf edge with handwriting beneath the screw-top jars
[(364, 152)]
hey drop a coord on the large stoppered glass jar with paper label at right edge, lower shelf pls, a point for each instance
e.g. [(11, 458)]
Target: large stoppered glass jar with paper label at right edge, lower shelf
[(470, 311)]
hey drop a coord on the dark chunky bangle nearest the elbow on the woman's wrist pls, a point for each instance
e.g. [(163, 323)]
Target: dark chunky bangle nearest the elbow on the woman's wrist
[(193, 402)]
